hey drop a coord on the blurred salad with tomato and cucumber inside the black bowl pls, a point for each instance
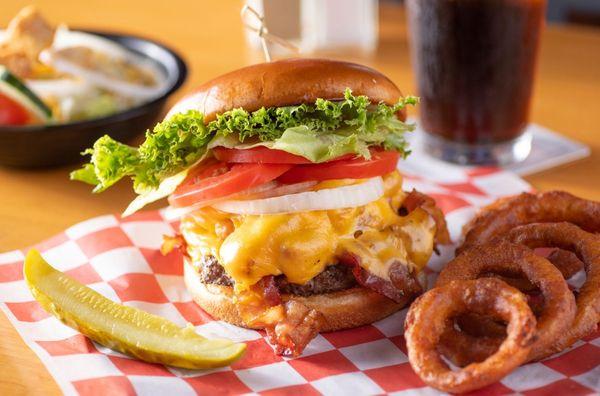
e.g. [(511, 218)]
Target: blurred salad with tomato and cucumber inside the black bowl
[(51, 75)]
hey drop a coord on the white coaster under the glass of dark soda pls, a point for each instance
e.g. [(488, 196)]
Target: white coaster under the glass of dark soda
[(549, 149)]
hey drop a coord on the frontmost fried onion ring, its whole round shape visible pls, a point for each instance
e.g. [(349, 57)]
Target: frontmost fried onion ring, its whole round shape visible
[(427, 319)]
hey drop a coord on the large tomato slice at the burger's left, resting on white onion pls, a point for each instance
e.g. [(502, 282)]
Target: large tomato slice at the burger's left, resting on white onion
[(215, 180)]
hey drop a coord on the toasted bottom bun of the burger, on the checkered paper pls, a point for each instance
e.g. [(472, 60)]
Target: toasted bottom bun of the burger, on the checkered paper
[(342, 310)]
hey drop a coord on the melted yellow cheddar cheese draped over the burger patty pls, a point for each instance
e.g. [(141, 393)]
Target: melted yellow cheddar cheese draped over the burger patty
[(301, 245)]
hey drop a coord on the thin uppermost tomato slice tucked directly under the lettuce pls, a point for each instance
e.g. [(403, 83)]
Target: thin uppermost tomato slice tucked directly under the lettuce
[(263, 155)]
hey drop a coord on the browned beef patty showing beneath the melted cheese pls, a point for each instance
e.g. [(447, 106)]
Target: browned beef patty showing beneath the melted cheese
[(334, 278)]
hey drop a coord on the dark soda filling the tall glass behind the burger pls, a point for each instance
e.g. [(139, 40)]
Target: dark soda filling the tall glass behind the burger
[(475, 63)]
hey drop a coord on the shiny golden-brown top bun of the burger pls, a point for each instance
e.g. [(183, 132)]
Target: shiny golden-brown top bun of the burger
[(287, 82)]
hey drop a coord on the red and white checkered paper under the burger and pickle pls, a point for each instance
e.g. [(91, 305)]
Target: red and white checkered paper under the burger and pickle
[(120, 258)]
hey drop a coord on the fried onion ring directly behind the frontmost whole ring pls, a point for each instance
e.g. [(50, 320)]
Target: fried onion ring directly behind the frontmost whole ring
[(559, 303)]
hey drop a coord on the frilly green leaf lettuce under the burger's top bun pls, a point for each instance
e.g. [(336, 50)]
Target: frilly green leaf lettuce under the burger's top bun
[(319, 132)]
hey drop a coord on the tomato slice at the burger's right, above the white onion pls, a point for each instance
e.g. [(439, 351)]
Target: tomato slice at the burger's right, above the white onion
[(381, 162)]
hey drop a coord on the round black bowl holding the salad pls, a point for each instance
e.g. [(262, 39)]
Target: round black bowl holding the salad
[(51, 145)]
